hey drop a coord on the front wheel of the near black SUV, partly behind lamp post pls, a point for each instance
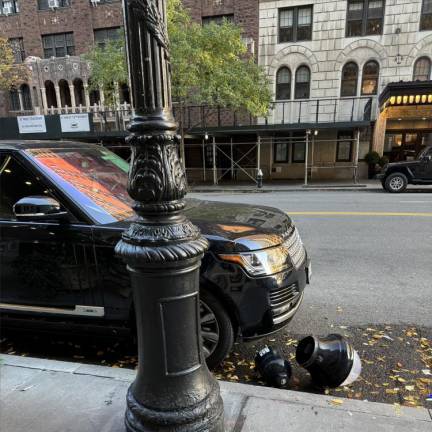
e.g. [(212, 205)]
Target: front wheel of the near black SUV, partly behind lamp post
[(215, 321)]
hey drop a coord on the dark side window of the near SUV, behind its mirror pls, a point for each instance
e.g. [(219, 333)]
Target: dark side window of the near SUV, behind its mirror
[(16, 182)]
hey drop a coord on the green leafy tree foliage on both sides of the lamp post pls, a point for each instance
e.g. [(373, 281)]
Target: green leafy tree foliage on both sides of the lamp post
[(210, 65)]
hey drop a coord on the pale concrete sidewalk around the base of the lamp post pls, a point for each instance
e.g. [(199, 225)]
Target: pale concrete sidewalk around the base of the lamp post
[(51, 396)]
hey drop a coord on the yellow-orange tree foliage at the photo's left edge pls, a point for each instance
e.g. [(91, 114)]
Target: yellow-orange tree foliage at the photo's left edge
[(11, 73)]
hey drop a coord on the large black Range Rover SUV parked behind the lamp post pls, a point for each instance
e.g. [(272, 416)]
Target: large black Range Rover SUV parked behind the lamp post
[(63, 208)]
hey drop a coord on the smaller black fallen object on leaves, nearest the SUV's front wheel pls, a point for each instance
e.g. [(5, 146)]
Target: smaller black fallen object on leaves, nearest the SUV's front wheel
[(274, 370)]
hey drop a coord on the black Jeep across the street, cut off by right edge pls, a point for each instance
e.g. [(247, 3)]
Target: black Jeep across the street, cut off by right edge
[(396, 176)]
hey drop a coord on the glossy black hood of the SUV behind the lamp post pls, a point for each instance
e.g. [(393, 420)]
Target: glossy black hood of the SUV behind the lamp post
[(235, 227)]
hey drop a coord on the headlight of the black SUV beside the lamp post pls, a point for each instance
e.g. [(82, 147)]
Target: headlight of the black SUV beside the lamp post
[(260, 263)]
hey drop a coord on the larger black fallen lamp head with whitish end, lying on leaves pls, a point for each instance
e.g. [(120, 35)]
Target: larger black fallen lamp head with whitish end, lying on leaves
[(330, 360)]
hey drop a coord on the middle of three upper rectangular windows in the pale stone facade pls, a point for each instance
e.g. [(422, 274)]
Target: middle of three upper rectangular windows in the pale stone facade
[(364, 17)]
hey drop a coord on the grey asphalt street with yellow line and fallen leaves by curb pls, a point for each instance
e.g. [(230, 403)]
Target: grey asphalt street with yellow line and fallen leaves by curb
[(372, 282)]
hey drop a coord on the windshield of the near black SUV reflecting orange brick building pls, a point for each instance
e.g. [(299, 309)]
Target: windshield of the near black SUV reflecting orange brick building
[(95, 178)]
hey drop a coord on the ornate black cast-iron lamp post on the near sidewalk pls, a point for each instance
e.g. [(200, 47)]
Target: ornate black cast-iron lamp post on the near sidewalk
[(173, 390)]
